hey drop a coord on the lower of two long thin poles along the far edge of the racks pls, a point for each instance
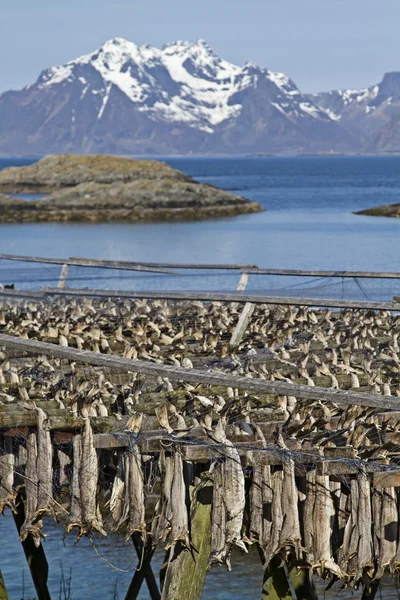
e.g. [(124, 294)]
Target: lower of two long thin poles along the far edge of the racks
[(224, 297)]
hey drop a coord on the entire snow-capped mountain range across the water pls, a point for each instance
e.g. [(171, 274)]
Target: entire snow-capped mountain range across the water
[(184, 98)]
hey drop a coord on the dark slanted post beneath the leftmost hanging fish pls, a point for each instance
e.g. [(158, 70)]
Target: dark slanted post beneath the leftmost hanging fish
[(35, 557)]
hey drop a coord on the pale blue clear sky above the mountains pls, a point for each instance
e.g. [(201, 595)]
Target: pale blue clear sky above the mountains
[(321, 44)]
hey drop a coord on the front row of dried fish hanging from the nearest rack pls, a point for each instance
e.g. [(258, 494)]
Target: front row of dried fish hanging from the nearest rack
[(343, 528)]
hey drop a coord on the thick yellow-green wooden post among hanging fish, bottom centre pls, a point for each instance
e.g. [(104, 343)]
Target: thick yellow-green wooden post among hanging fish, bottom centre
[(186, 571)]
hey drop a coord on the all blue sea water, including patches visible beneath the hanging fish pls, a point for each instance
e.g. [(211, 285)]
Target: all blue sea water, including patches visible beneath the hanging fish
[(308, 224)]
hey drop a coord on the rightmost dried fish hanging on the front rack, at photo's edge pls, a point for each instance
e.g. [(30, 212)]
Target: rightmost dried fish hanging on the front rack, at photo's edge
[(386, 523)]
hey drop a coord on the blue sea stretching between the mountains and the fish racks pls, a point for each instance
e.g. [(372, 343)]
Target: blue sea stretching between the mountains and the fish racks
[(308, 224)]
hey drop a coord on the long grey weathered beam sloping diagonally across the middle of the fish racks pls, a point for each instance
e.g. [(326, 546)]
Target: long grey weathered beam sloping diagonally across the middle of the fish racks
[(278, 388)]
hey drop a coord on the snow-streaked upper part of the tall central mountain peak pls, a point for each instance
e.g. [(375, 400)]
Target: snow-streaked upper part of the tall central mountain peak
[(182, 82)]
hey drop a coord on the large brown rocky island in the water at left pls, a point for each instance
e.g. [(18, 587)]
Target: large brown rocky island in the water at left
[(101, 188)]
